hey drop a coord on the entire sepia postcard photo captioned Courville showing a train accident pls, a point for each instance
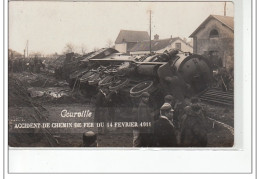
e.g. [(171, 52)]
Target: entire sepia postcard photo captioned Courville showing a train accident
[(121, 74)]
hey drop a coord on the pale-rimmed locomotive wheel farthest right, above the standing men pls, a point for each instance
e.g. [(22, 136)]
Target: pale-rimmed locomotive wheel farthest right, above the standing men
[(138, 89)]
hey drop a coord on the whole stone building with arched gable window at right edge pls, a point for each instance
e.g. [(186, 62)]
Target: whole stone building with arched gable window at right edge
[(215, 38)]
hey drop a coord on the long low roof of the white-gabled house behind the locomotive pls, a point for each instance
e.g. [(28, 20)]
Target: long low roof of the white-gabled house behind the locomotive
[(155, 44)]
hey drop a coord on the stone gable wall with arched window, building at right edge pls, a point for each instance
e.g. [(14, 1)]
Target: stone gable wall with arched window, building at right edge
[(223, 45)]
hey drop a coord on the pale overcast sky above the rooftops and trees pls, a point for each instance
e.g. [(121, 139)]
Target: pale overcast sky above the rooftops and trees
[(49, 26)]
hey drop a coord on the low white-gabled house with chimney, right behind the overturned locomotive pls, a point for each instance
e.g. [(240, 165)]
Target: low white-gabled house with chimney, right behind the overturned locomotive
[(160, 46)]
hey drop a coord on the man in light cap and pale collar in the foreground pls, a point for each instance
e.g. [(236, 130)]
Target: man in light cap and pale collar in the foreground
[(164, 130)]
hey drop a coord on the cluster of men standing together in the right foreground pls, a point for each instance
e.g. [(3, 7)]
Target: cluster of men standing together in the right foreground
[(179, 124)]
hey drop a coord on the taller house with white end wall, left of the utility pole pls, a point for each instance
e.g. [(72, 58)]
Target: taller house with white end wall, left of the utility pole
[(126, 39)]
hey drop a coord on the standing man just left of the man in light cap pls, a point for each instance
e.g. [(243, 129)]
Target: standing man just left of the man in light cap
[(142, 137)]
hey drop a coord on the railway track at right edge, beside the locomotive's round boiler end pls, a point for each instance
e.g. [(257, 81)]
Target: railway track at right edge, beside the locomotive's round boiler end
[(216, 96)]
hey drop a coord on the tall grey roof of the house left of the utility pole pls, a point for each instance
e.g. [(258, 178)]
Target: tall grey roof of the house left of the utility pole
[(131, 36)]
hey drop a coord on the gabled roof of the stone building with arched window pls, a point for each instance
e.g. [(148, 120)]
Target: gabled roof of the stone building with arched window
[(226, 20)]
